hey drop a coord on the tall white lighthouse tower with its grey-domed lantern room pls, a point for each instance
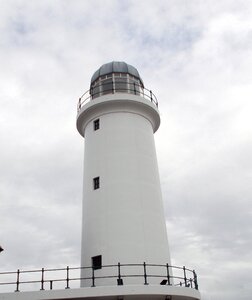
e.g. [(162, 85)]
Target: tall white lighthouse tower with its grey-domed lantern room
[(123, 228)]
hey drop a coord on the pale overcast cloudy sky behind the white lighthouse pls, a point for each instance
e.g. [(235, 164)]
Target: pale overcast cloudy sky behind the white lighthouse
[(196, 56)]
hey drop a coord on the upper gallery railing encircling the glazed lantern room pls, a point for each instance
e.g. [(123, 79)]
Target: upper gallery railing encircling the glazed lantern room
[(113, 87)]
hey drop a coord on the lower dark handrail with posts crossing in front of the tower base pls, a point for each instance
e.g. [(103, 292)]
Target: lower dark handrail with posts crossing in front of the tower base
[(186, 277)]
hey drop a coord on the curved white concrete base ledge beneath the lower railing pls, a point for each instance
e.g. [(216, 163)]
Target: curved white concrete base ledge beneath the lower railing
[(109, 293)]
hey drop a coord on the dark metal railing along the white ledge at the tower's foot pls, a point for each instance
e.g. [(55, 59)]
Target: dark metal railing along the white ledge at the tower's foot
[(68, 277)]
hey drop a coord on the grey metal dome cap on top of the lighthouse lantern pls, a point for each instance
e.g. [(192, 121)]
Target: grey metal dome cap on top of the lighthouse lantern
[(116, 67)]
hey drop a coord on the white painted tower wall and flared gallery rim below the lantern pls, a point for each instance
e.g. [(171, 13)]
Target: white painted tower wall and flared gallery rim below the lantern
[(123, 220)]
